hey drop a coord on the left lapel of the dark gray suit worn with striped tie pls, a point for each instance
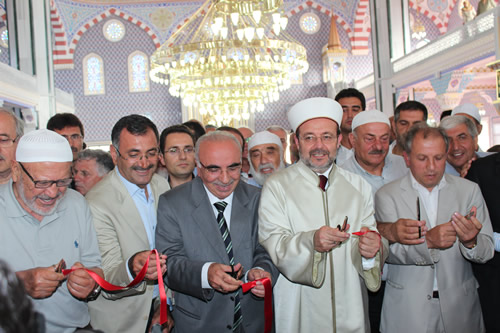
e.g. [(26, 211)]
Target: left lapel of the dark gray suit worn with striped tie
[(203, 215)]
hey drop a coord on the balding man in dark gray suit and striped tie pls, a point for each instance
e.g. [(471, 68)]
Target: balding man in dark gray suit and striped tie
[(201, 258)]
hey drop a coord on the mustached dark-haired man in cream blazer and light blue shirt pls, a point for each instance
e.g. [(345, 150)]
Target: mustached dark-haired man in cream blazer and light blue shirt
[(123, 206)]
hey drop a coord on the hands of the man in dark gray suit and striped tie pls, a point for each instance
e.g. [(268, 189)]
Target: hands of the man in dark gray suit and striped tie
[(220, 279)]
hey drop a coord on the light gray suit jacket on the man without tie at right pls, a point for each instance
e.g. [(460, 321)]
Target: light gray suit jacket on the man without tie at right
[(411, 274)]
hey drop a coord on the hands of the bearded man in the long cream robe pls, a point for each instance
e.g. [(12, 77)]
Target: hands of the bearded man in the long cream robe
[(327, 238)]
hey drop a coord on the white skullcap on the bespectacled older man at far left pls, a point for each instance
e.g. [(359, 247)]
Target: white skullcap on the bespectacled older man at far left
[(43, 146)]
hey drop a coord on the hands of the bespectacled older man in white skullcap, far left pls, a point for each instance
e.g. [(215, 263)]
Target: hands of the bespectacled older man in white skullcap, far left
[(42, 282)]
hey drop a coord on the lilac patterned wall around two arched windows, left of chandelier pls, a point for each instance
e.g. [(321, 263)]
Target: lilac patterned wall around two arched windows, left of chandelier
[(100, 113)]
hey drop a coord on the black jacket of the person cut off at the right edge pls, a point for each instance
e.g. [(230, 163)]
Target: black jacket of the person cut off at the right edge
[(486, 173)]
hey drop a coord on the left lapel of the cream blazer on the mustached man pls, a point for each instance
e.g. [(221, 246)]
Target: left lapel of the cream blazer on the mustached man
[(128, 210)]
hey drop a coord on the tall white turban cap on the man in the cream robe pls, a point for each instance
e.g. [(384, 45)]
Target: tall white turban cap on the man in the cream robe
[(311, 108)]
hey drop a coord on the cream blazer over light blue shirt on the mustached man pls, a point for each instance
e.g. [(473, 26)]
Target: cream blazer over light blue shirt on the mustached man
[(121, 234)]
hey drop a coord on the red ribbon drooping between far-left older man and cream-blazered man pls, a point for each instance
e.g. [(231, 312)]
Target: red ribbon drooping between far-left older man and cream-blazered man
[(111, 287)]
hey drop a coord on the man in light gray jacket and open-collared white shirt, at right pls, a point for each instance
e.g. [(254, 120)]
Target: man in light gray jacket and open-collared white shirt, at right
[(431, 286)]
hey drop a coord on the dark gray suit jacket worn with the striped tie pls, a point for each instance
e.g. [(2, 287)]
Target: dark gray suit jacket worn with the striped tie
[(188, 233)]
